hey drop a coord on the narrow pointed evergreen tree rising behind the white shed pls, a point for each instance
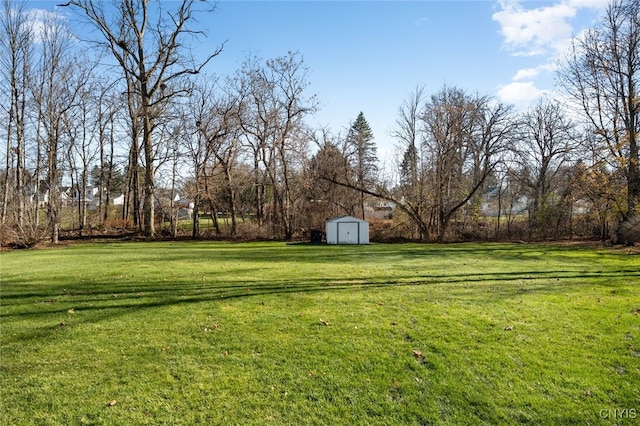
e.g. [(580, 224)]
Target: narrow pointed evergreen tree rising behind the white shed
[(362, 152)]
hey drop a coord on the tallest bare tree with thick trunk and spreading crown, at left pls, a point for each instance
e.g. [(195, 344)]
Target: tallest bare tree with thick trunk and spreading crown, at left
[(148, 44)]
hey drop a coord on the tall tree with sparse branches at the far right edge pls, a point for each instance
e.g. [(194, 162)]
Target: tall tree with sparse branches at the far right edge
[(602, 74)]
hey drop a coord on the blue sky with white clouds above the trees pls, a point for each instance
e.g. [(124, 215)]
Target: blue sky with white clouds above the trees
[(370, 55)]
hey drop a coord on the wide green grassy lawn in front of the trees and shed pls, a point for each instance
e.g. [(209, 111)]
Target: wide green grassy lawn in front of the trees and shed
[(268, 333)]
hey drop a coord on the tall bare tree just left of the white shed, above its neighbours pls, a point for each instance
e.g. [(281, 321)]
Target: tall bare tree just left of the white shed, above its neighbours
[(273, 107)]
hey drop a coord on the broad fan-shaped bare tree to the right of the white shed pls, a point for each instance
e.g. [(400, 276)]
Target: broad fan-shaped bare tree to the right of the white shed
[(464, 137)]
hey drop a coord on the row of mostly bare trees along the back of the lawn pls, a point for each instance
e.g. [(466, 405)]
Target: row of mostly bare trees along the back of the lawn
[(136, 114)]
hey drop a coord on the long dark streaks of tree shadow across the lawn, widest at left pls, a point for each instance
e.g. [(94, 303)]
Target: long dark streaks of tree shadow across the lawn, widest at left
[(107, 300)]
